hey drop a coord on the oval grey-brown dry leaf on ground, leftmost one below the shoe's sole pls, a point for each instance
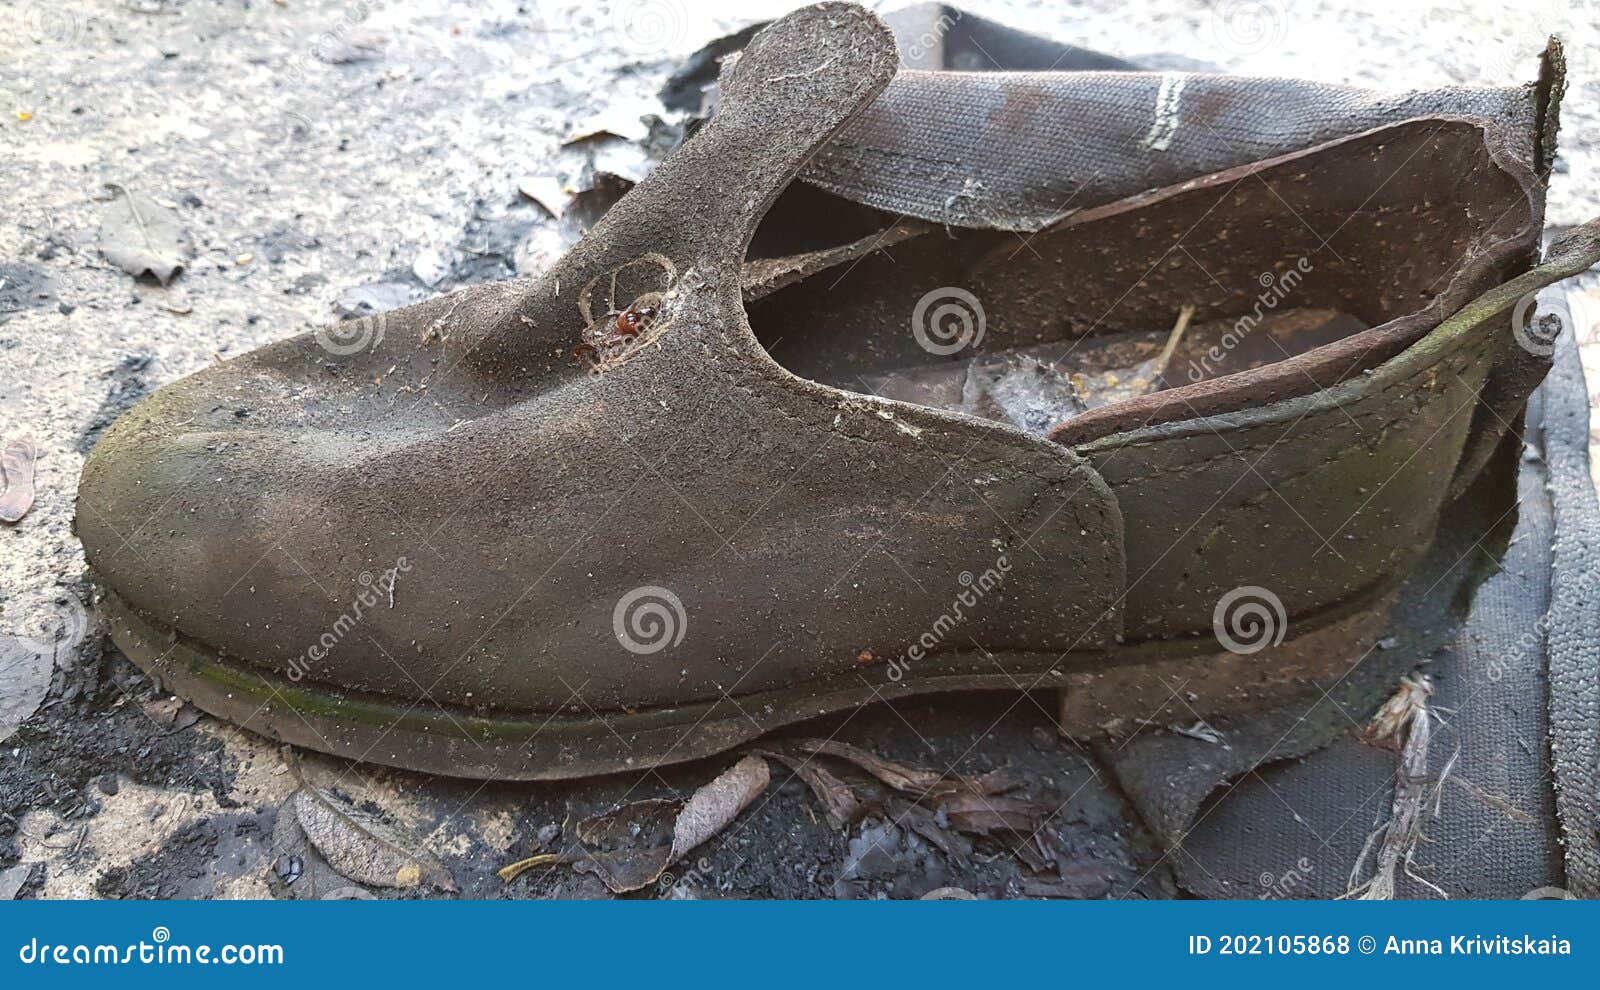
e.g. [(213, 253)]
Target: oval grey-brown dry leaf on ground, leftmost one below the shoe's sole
[(361, 847)]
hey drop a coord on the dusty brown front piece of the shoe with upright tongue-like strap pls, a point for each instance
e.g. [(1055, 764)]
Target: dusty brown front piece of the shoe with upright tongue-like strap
[(799, 525)]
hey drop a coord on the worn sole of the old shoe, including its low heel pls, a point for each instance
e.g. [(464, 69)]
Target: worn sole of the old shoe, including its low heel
[(1100, 692)]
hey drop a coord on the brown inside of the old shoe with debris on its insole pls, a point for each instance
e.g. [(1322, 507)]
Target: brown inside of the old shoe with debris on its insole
[(1300, 271)]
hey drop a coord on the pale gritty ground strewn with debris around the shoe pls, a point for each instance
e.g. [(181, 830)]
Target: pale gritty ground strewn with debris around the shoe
[(332, 159)]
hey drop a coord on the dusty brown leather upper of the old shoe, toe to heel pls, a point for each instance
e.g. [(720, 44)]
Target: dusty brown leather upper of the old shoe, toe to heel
[(804, 527)]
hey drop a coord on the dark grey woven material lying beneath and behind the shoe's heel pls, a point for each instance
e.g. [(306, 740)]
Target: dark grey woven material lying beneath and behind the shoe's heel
[(1514, 689)]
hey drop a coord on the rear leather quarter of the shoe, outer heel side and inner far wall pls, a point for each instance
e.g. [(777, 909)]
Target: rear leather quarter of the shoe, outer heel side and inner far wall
[(1346, 452)]
